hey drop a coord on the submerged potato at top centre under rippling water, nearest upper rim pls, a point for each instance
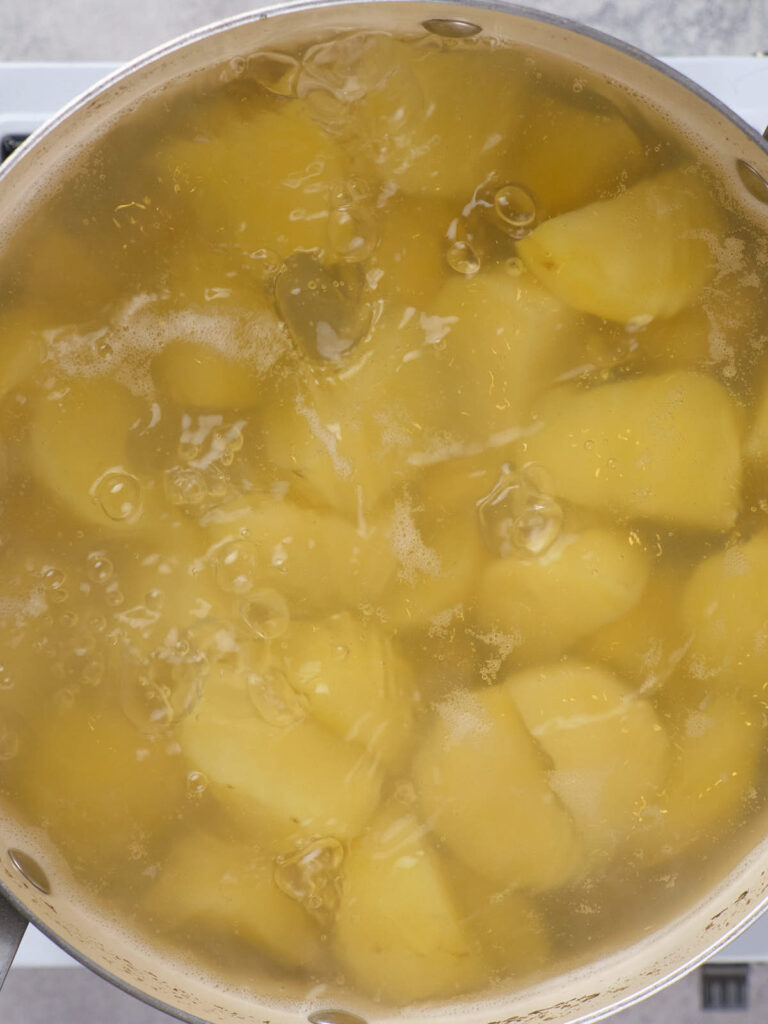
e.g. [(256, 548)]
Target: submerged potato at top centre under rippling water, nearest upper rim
[(409, 122)]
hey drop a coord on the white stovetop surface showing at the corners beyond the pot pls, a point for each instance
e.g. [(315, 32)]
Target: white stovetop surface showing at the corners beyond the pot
[(32, 93)]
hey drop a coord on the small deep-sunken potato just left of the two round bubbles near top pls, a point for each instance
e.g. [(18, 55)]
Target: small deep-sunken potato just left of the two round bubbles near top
[(409, 263)]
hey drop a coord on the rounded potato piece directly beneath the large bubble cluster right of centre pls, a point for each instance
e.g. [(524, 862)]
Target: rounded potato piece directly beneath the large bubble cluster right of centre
[(548, 604)]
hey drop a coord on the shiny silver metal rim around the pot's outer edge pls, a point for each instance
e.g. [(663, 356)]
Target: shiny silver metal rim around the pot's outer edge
[(273, 11)]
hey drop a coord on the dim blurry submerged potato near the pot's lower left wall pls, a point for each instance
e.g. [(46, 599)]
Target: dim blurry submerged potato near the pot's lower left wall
[(99, 787)]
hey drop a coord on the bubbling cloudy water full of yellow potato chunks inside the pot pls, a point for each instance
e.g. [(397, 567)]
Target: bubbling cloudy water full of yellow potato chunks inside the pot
[(383, 532)]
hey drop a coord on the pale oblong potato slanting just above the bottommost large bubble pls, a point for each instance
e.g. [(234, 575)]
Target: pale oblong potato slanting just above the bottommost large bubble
[(293, 774)]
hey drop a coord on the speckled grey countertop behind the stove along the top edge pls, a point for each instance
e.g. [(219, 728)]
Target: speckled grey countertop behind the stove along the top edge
[(114, 30)]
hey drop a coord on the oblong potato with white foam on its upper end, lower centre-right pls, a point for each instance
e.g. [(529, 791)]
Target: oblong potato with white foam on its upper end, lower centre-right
[(484, 791)]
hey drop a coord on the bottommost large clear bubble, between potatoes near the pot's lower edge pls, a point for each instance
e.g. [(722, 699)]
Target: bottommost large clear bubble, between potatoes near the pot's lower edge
[(313, 876)]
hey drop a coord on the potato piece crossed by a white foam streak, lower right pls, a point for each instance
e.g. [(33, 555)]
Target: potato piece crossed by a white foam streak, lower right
[(609, 751)]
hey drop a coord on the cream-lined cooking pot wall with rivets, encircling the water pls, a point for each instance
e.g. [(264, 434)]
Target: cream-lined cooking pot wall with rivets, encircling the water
[(29, 876)]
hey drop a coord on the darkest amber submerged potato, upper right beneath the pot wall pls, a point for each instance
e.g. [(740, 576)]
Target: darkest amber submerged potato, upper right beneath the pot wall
[(569, 156)]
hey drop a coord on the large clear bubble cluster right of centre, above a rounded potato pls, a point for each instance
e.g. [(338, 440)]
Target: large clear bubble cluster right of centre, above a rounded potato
[(518, 518)]
